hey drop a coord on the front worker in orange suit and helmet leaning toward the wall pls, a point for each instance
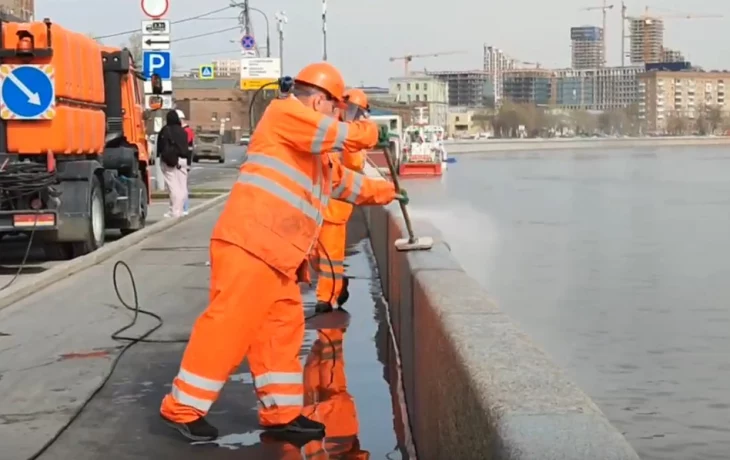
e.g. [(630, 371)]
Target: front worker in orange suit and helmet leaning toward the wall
[(259, 251)]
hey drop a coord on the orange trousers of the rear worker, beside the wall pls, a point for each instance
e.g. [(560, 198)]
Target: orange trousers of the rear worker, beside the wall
[(330, 250)]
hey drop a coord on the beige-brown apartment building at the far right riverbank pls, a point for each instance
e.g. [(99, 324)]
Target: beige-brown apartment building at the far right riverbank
[(684, 94)]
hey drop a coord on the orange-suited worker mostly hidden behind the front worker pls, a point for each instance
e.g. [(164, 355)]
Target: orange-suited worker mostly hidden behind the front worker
[(330, 252)]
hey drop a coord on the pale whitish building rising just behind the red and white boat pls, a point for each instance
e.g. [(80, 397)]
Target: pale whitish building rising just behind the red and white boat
[(424, 90)]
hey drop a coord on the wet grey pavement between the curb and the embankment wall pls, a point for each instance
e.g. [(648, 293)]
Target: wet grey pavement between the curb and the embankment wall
[(55, 349)]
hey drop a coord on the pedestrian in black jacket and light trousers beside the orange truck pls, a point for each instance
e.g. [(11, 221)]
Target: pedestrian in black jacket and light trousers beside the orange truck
[(172, 149)]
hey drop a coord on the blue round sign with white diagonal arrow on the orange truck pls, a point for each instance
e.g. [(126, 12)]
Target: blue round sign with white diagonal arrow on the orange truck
[(27, 92)]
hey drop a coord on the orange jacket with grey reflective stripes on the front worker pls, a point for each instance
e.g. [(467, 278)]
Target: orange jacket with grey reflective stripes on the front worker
[(275, 210)]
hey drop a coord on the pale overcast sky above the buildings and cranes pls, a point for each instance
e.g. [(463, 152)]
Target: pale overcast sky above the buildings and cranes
[(363, 34)]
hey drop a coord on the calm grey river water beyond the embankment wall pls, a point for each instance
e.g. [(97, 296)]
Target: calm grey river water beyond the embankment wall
[(617, 263)]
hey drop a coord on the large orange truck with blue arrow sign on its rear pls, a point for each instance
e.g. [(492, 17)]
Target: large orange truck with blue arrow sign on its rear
[(73, 152)]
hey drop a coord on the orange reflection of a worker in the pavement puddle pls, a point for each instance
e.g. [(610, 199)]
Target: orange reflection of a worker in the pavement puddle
[(325, 391)]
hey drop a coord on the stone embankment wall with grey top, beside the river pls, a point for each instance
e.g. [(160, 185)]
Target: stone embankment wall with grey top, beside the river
[(476, 386)]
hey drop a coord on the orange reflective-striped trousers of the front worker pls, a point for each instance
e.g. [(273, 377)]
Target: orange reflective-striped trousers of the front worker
[(254, 312)]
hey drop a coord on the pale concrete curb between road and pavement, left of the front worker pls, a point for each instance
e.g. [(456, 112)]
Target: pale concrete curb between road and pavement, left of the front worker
[(22, 289)]
